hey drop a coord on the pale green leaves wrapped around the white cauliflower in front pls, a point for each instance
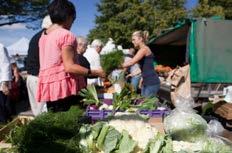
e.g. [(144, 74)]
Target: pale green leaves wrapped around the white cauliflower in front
[(102, 137)]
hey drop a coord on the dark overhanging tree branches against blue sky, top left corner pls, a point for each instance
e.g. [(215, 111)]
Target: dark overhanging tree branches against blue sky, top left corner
[(22, 11)]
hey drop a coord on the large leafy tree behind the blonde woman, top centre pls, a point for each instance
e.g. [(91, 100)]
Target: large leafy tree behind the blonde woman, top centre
[(120, 18)]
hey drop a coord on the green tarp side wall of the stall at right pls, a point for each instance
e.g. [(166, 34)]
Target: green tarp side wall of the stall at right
[(210, 51)]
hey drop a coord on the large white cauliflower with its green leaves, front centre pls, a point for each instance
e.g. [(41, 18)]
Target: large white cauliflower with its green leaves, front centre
[(126, 133)]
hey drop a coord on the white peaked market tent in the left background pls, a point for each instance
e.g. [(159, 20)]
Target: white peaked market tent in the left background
[(20, 47)]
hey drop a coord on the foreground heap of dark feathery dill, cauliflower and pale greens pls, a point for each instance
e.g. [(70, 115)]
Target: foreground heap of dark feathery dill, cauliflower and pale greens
[(124, 133)]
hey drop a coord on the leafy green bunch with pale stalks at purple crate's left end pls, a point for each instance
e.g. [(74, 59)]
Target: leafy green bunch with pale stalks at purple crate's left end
[(90, 95)]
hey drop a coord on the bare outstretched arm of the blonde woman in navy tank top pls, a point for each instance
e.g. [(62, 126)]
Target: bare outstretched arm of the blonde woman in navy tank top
[(138, 56)]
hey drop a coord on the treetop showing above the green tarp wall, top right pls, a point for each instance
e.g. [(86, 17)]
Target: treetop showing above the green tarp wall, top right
[(204, 9)]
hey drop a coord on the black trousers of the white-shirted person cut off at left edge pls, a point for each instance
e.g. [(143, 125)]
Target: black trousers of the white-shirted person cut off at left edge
[(4, 107)]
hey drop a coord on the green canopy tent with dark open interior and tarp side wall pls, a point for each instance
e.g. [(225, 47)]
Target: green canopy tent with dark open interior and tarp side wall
[(206, 44)]
